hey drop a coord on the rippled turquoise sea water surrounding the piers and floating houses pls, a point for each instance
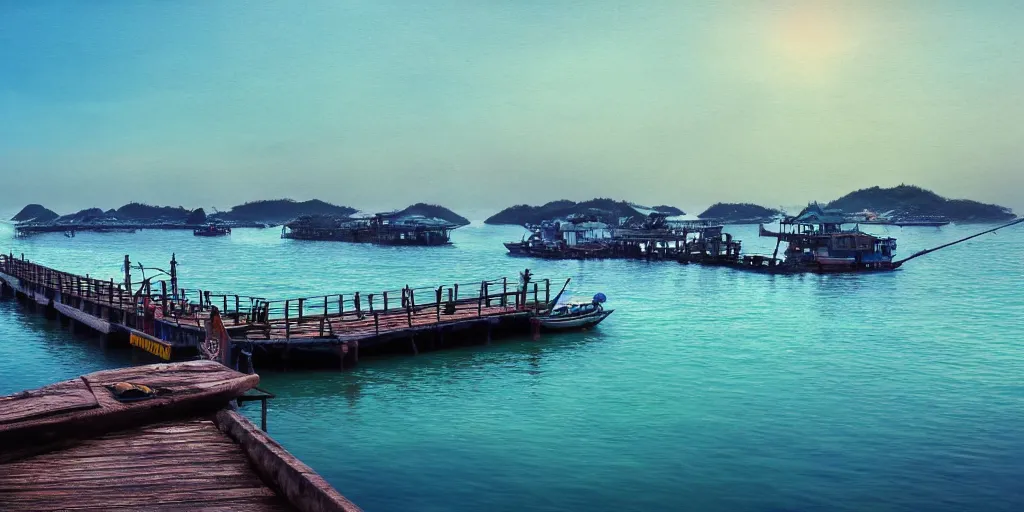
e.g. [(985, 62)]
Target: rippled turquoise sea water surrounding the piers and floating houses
[(708, 390)]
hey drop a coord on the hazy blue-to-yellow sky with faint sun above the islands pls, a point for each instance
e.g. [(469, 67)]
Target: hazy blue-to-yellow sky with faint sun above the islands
[(483, 104)]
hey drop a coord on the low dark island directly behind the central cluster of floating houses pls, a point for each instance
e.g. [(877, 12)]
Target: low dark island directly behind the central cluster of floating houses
[(604, 210)]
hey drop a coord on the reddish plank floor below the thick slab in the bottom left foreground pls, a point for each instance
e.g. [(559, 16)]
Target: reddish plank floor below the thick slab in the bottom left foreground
[(181, 465)]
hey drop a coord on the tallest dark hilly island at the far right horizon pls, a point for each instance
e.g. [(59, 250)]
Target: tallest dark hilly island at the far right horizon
[(909, 202)]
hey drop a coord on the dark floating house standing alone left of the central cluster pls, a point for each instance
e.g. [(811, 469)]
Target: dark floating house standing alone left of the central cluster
[(383, 229)]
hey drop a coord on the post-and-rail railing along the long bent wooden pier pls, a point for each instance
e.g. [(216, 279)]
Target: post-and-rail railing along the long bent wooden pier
[(339, 317)]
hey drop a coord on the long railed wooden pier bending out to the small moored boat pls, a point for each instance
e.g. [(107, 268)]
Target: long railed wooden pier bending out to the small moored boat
[(163, 319)]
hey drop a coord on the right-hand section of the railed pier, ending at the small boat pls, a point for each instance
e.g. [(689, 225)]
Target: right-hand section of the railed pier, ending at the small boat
[(408, 320)]
